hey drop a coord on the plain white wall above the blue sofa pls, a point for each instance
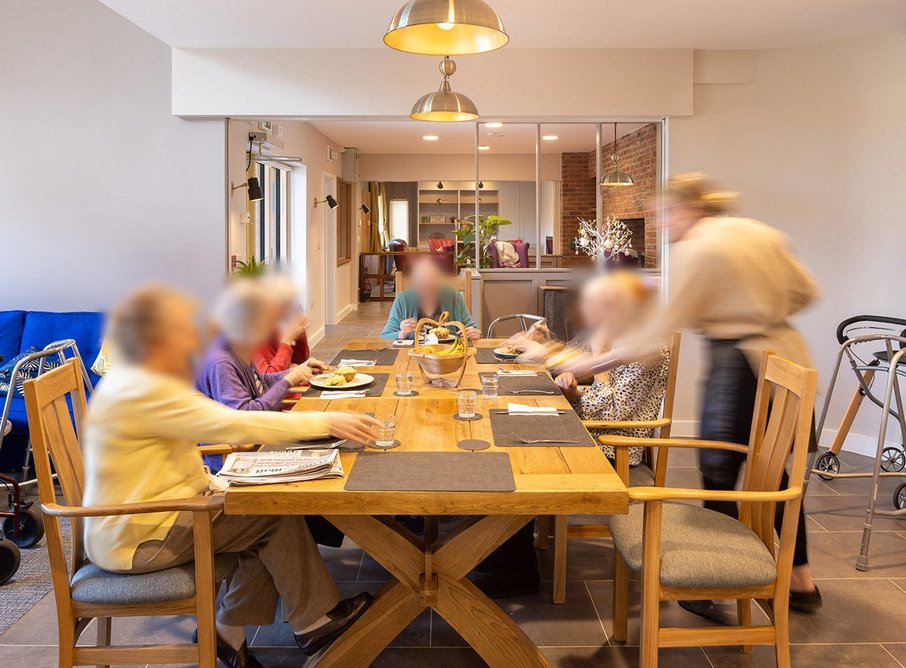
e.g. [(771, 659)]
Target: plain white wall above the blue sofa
[(101, 187)]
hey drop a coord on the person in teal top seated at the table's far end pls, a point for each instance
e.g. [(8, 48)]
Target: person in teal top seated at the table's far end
[(427, 297)]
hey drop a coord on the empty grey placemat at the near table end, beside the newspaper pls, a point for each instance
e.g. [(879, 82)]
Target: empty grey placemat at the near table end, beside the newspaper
[(431, 472)]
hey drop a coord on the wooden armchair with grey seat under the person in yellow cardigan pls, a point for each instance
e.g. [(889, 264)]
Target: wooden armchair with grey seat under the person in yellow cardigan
[(83, 591)]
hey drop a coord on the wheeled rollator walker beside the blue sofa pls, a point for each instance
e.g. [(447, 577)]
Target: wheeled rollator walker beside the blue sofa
[(22, 524)]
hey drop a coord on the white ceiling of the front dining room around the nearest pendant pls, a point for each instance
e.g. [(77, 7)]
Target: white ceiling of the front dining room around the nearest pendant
[(698, 24)]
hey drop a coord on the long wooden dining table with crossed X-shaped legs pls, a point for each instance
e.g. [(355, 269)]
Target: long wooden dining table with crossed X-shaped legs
[(431, 571)]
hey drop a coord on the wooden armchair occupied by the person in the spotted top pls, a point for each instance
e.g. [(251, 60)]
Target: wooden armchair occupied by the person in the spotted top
[(655, 472)]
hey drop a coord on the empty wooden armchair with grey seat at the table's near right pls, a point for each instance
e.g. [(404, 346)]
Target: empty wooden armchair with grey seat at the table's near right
[(665, 538)]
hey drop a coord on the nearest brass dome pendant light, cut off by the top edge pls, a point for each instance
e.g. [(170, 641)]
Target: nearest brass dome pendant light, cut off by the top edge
[(446, 28)]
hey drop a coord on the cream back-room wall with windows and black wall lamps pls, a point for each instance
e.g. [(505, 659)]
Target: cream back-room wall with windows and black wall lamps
[(301, 140)]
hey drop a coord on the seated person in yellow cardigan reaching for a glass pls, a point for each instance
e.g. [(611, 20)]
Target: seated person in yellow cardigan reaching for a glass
[(140, 443)]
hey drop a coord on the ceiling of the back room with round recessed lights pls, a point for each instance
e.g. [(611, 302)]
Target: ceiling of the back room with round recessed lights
[(405, 136)]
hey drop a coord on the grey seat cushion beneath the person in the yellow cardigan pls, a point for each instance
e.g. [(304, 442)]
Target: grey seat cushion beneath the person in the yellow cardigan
[(95, 585)]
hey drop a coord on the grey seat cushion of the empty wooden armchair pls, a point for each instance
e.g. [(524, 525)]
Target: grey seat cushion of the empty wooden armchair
[(699, 548)]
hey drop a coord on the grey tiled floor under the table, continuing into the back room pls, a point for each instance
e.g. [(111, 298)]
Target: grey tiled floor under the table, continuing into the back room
[(861, 624)]
